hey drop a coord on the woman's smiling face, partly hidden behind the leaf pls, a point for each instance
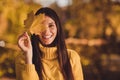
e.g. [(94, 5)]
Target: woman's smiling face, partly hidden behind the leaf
[(49, 33)]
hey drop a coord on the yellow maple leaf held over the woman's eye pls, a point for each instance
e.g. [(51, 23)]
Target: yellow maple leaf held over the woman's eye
[(33, 24)]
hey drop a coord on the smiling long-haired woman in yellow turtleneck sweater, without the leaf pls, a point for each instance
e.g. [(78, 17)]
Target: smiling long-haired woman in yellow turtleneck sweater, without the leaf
[(45, 54)]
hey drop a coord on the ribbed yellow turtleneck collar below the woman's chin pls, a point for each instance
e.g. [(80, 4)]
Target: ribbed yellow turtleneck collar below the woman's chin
[(48, 52)]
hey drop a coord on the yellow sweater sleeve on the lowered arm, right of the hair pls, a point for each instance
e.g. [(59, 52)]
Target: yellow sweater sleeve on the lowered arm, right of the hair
[(76, 65)]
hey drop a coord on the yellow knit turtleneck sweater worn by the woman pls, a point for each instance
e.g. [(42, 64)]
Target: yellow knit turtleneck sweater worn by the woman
[(50, 64)]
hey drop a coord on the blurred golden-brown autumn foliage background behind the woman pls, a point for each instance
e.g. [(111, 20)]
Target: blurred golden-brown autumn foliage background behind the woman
[(92, 28)]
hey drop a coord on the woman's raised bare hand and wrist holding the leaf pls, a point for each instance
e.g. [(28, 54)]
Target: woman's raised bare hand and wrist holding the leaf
[(24, 43)]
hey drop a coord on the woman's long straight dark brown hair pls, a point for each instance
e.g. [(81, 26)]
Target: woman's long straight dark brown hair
[(59, 41)]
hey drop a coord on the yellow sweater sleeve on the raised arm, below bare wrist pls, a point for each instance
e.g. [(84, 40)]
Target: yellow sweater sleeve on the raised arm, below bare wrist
[(24, 71)]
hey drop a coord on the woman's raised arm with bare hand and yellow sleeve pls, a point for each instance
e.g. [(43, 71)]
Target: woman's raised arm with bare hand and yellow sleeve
[(25, 70)]
